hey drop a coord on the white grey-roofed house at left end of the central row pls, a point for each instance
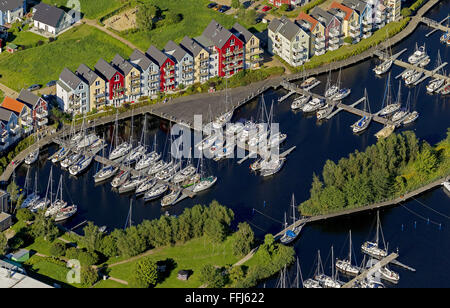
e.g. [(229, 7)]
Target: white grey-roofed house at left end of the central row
[(72, 93)]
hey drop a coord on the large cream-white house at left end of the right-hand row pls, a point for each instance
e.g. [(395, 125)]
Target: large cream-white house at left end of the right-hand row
[(289, 41)]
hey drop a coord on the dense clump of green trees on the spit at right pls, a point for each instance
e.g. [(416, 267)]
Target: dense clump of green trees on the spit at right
[(385, 170)]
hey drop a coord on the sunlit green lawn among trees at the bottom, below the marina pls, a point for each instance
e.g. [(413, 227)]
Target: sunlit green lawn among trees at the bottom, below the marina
[(189, 256)]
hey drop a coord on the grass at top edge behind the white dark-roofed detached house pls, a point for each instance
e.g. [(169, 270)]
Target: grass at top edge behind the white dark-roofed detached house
[(92, 9)]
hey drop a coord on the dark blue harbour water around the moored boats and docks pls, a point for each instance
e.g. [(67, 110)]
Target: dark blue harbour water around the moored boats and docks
[(421, 245)]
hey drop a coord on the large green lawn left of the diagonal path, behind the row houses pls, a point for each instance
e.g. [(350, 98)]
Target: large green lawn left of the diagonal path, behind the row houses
[(39, 65)]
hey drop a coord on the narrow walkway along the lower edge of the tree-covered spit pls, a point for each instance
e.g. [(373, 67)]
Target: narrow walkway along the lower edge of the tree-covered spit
[(374, 206)]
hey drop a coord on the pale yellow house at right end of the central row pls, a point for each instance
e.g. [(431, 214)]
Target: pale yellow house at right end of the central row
[(252, 51)]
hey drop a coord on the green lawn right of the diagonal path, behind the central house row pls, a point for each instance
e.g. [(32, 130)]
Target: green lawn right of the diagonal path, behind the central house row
[(196, 16)]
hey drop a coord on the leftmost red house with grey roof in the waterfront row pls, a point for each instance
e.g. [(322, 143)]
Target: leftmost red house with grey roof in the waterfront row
[(114, 80)]
